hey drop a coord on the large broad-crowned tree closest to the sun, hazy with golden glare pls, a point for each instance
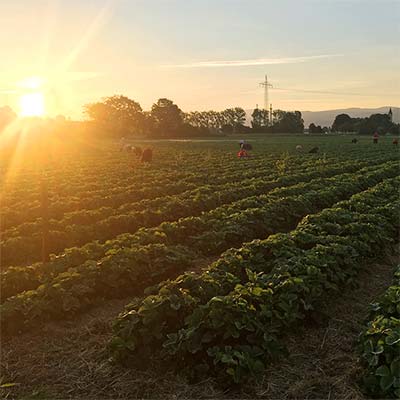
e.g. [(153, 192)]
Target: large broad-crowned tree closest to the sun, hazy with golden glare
[(118, 114)]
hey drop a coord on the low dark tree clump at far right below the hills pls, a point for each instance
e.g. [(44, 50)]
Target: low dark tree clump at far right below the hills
[(365, 126)]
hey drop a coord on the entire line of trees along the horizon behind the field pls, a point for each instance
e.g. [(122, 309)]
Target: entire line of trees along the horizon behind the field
[(121, 116)]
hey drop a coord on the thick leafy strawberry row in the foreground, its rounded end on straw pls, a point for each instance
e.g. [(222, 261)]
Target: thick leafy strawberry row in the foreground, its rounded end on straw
[(231, 318)]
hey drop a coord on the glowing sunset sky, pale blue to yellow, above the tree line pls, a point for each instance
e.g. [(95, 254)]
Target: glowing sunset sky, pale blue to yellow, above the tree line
[(202, 54)]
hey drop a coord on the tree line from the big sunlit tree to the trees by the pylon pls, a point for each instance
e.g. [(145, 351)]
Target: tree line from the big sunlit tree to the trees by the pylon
[(122, 116)]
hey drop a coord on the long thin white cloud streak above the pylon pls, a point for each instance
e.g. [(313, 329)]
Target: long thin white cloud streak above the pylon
[(251, 62)]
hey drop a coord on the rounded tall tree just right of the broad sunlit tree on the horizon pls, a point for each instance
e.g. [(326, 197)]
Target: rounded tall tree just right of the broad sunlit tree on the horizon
[(167, 116)]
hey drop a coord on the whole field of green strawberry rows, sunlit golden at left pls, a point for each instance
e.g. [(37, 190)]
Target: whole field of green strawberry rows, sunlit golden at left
[(219, 260)]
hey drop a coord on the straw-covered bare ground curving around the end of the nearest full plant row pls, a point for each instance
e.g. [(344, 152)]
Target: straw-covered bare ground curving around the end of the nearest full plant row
[(66, 360)]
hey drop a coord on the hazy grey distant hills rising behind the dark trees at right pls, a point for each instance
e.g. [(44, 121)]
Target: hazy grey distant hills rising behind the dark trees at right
[(326, 118)]
